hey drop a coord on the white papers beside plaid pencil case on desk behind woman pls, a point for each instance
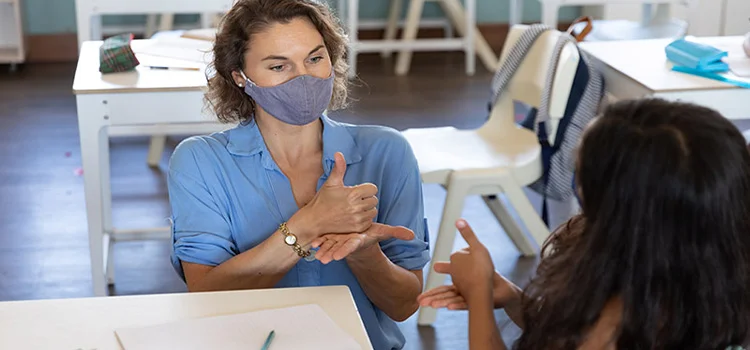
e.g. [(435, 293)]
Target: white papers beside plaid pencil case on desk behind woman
[(178, 48)]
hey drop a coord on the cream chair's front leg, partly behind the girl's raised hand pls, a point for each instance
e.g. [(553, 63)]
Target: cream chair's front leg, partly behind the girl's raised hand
[(454, 203)]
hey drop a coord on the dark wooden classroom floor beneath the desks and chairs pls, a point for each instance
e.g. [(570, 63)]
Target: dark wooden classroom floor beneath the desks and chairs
[(43, 238)]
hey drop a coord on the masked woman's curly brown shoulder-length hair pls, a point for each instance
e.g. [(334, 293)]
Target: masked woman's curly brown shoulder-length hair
[(247, 17)]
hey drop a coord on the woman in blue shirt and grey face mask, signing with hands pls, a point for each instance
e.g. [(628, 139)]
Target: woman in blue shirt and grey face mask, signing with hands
[(248, 203)]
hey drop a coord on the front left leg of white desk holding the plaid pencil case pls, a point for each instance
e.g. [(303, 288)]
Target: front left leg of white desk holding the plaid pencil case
[(94, 140)]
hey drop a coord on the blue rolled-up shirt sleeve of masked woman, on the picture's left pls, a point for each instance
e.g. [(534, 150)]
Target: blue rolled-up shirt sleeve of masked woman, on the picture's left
[(201, 232)]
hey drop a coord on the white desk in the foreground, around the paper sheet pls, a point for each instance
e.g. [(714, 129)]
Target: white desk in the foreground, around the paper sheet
[(89, 323)]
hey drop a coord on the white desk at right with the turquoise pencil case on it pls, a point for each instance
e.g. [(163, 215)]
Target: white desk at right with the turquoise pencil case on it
[(639, 68)]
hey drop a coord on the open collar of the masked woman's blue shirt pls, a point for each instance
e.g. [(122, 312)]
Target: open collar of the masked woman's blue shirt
[(246, 140)]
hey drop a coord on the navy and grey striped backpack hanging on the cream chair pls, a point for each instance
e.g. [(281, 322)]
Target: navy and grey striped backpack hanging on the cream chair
[(586, 96)]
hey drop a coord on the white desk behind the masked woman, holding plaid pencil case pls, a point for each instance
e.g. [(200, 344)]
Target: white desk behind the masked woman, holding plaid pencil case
[(141, 102)]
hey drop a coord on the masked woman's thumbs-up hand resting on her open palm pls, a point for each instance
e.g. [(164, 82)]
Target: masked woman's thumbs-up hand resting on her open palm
[(337, 208)]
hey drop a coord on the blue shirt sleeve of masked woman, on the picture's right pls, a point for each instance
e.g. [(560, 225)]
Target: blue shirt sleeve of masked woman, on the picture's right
[(402, 205)]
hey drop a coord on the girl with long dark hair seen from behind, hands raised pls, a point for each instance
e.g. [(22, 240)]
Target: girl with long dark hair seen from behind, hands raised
[(659, 258)]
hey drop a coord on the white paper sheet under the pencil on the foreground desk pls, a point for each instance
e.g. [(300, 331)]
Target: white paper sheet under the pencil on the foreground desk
[(299, 327)]
